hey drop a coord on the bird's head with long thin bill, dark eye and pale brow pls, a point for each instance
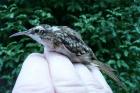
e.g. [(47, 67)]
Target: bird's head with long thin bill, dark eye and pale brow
[(36, 32)]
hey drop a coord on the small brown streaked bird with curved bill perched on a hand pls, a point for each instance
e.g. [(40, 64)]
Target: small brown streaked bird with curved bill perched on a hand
[(68, 42)]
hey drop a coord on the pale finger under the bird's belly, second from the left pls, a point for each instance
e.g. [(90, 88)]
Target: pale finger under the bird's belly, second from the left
[(64, 77)]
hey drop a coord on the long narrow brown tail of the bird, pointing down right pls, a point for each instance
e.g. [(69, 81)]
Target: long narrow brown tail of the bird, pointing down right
[(110, 72)]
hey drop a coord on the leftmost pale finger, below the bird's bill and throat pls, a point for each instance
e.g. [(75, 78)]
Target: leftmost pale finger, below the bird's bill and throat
[(34, 76)]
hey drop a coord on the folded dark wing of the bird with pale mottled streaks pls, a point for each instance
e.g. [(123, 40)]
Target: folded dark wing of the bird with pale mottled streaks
[(72, 43)]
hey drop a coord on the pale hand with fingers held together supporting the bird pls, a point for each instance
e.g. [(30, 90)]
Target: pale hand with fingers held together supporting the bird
[(54, 73)]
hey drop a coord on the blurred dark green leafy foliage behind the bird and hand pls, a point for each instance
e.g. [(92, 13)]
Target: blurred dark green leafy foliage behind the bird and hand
[(110, 27)]
